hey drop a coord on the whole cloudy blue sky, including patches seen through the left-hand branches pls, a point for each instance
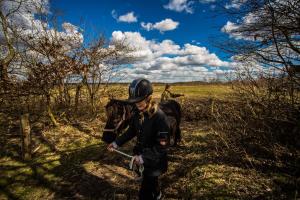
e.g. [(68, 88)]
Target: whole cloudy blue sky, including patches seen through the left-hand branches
[(173, 40)]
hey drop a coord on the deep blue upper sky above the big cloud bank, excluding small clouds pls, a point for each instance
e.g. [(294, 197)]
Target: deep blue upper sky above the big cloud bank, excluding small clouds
[(196, 25)]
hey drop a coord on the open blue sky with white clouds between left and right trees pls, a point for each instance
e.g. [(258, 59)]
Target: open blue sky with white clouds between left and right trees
[(188, 26)]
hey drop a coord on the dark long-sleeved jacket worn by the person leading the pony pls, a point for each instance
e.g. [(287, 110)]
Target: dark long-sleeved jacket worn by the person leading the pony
[(150, 132)]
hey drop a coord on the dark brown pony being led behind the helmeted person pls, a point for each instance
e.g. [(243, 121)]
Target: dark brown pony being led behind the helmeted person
[(119, 113)]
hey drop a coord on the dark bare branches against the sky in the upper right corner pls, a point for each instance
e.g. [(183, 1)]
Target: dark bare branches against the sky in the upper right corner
[(268, 31)]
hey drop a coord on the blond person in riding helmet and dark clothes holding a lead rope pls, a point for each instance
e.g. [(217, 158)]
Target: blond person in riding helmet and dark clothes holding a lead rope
[(149, 125)]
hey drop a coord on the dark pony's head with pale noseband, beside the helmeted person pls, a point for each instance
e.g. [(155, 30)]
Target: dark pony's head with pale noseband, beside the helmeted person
[(118, 115)]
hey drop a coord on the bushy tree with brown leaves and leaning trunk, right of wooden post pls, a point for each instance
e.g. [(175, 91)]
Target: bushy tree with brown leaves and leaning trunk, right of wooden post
[(49, 57)]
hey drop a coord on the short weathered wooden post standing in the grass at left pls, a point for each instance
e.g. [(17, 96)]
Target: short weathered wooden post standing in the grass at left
[(26, 137)]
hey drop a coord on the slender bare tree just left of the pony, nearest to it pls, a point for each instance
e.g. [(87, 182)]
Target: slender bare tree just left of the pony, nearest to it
[(101, 60)]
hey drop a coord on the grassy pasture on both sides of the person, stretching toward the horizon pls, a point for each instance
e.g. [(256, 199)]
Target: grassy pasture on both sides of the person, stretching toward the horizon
[(71, 162)]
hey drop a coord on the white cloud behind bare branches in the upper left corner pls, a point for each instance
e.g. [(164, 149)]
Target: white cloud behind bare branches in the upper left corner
[(21, 16)]
